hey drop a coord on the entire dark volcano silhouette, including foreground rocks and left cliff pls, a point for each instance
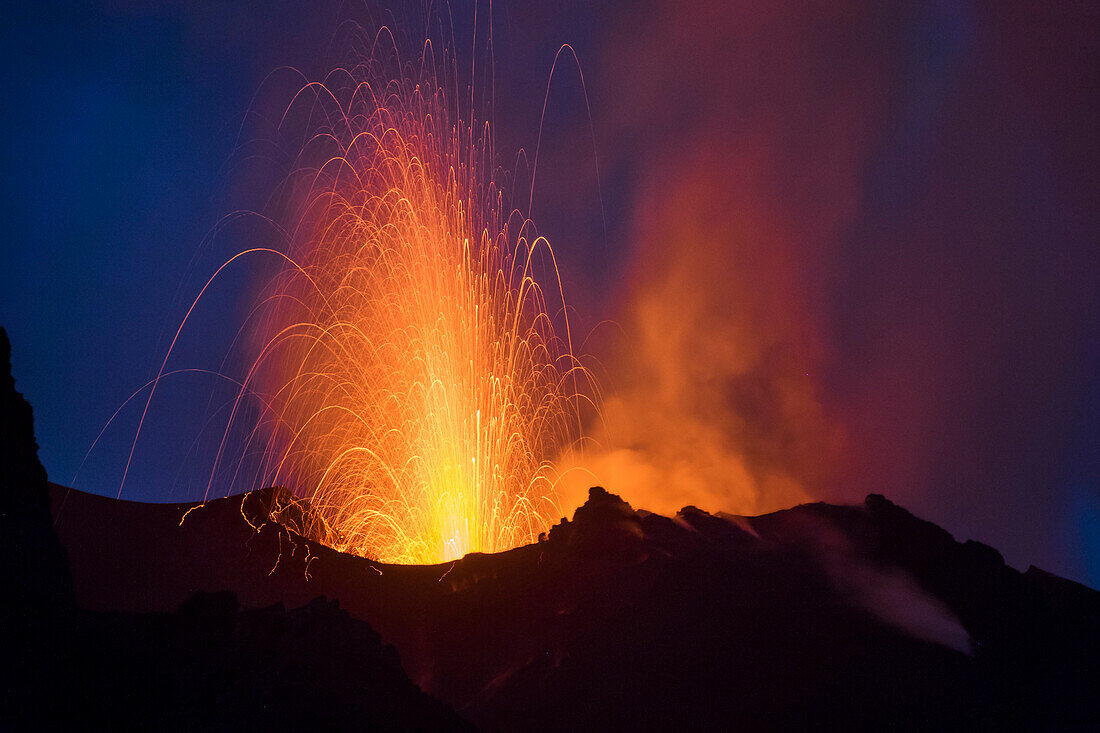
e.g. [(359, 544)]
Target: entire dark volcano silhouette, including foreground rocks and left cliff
[(221, 617)]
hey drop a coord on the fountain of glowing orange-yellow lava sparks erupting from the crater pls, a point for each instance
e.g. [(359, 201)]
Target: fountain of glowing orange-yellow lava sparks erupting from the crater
[(414, 382)]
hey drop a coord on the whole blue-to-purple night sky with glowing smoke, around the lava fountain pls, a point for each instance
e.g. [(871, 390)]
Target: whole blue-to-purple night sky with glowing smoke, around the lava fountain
[(846, 249)]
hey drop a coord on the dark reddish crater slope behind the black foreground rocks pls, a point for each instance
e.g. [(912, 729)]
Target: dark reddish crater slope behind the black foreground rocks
[(832, 617)]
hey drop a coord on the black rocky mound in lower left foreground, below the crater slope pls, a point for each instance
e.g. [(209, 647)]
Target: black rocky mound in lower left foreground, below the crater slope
[(213, 666)]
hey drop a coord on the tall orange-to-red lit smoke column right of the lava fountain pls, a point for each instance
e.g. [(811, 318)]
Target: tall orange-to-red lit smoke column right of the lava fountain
[(714, 396)]
